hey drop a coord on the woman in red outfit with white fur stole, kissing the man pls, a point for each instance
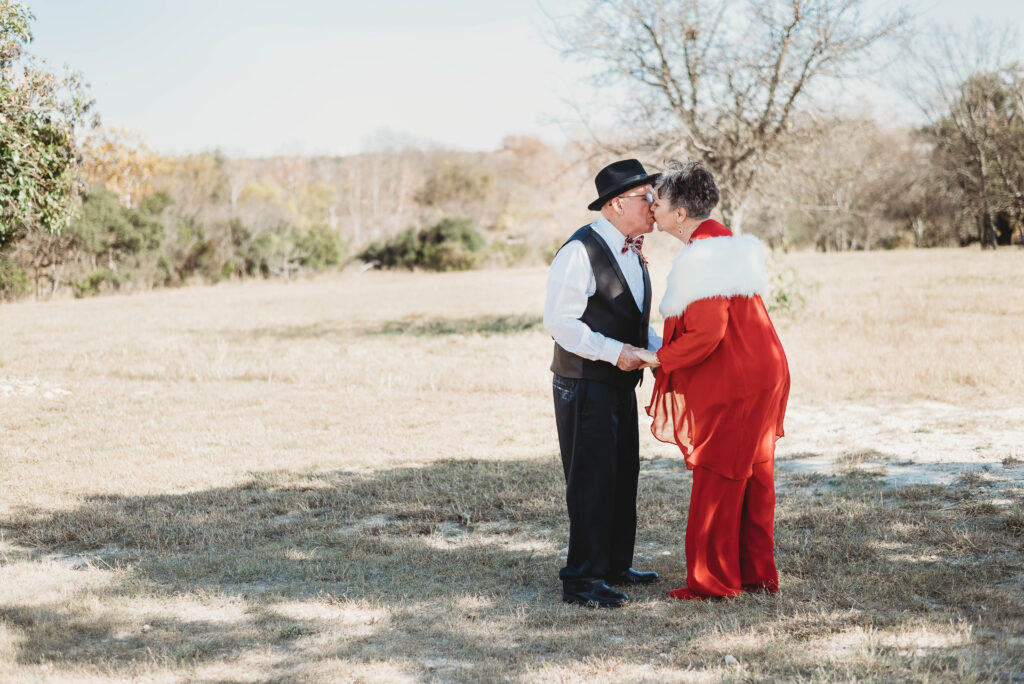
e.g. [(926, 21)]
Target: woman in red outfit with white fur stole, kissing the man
[(721, 392)]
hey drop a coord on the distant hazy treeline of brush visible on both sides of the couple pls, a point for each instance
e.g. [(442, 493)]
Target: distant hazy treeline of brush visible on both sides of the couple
[(146, 222)]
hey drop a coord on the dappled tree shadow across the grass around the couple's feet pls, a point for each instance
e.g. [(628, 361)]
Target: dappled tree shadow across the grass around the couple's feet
[(453, 566)]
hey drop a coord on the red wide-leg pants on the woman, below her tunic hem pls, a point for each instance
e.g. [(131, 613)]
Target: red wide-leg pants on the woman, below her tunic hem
[(731, 544)]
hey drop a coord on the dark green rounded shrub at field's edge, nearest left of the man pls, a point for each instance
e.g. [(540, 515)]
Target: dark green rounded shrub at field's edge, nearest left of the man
[(452, 244)]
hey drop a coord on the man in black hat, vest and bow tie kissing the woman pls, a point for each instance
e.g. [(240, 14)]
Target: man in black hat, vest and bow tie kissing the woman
[(598, 311)]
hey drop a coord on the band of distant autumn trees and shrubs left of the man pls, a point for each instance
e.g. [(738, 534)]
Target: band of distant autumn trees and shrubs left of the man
[(145, 221)]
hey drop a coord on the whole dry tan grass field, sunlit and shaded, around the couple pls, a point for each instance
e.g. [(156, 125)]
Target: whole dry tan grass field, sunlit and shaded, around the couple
[(357, 479)]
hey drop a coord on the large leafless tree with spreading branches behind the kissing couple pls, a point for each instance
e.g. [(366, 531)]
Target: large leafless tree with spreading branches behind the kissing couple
[(720, 80)]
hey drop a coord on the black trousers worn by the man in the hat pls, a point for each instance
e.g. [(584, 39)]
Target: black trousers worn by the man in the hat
[(601, 445)]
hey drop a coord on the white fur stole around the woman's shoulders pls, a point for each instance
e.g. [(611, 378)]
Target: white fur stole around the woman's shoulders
[(727, 267)]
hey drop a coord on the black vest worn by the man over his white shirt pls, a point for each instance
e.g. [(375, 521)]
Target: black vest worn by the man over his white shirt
[(611, 312)]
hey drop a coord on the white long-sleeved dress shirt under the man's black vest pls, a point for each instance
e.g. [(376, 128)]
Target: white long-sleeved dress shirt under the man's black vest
[(572, 283)]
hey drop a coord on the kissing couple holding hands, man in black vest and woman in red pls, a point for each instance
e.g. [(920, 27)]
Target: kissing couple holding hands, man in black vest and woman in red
[(721, 386)]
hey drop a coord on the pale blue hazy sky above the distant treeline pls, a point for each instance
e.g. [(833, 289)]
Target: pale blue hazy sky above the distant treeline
[(264, 77)]
